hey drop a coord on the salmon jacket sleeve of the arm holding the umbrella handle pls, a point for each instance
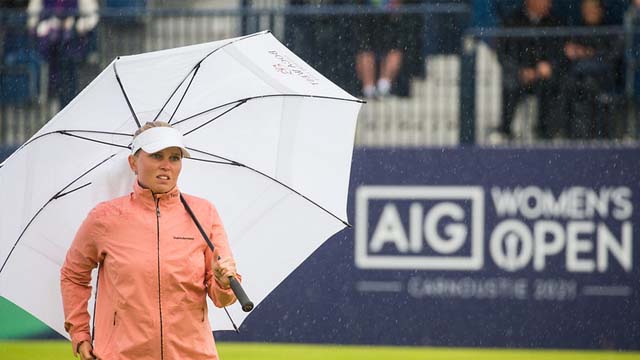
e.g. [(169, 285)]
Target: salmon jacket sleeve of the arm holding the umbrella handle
[(221, 297)]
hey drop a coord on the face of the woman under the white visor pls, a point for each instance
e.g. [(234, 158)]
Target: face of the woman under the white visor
[(159, 171)]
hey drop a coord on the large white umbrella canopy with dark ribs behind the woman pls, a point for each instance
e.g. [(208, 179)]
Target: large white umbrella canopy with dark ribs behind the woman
[(271, 142)]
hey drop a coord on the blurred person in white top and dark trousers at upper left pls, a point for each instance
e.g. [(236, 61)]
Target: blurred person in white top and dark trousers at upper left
[(61, 29)]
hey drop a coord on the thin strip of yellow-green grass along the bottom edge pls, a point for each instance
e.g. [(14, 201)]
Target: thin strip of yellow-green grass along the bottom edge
[(55, 350)]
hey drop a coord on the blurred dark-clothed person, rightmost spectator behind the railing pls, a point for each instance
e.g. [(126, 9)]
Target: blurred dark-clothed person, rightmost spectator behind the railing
[(592, 71)]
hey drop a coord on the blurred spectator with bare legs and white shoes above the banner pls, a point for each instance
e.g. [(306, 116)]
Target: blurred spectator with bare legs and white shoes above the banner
[(379, 36)]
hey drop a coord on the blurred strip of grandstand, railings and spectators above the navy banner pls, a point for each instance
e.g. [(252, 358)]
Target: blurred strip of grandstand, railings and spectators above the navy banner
[(435, 72)]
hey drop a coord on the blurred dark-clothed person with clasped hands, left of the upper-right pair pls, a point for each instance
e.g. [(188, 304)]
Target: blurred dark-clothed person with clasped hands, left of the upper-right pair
[(530, 66)]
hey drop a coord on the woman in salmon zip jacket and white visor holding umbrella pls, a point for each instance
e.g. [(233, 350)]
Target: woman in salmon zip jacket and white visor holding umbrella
[(155, 270)]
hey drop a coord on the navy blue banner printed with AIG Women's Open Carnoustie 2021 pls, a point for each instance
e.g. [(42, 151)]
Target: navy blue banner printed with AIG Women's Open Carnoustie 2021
[(473, 247)]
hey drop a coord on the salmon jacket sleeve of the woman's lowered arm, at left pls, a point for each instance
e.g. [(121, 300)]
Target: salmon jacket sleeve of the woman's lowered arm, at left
[(75, 280)]
